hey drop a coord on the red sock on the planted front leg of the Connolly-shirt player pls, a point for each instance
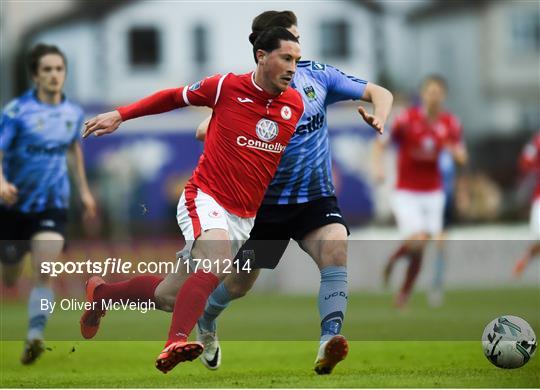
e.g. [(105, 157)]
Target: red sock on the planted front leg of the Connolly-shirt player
[(190, 303)]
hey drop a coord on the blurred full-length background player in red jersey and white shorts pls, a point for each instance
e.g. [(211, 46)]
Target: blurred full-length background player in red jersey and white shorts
[(421, 133)]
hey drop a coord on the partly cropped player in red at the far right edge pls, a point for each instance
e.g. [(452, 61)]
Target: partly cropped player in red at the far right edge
[(530, 163)]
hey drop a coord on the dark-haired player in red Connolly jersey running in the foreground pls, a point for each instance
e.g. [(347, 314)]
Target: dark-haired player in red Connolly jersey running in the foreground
[(254, 116)]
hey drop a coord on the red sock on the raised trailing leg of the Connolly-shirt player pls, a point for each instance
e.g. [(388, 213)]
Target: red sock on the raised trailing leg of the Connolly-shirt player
[(138, 288)]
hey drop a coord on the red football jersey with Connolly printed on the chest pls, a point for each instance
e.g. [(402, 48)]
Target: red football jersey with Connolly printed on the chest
[(246, 137)]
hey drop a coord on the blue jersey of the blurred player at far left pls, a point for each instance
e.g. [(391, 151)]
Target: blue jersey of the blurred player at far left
[(34, 138)]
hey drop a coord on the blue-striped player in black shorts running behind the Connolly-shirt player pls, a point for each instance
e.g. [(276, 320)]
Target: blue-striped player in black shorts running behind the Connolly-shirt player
[(300, 203)]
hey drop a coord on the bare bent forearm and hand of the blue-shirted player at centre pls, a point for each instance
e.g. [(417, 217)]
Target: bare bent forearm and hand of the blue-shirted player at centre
[(382, 100)]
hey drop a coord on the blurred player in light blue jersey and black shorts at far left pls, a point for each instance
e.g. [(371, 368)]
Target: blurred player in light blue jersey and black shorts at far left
[(39, 138)]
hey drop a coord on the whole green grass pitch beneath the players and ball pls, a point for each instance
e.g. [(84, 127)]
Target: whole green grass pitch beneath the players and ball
[(270, 341)]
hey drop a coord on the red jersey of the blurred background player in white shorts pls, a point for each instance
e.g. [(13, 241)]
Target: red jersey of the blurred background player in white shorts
[(420, 143)]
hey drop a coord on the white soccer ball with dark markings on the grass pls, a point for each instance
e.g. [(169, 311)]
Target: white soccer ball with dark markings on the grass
[(509, 342)]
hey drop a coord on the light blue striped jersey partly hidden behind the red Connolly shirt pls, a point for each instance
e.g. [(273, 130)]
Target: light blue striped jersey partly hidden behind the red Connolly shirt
[(304, 173)]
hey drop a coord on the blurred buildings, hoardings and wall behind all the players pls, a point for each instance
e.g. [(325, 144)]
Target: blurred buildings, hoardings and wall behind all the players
[(119, 51)]
